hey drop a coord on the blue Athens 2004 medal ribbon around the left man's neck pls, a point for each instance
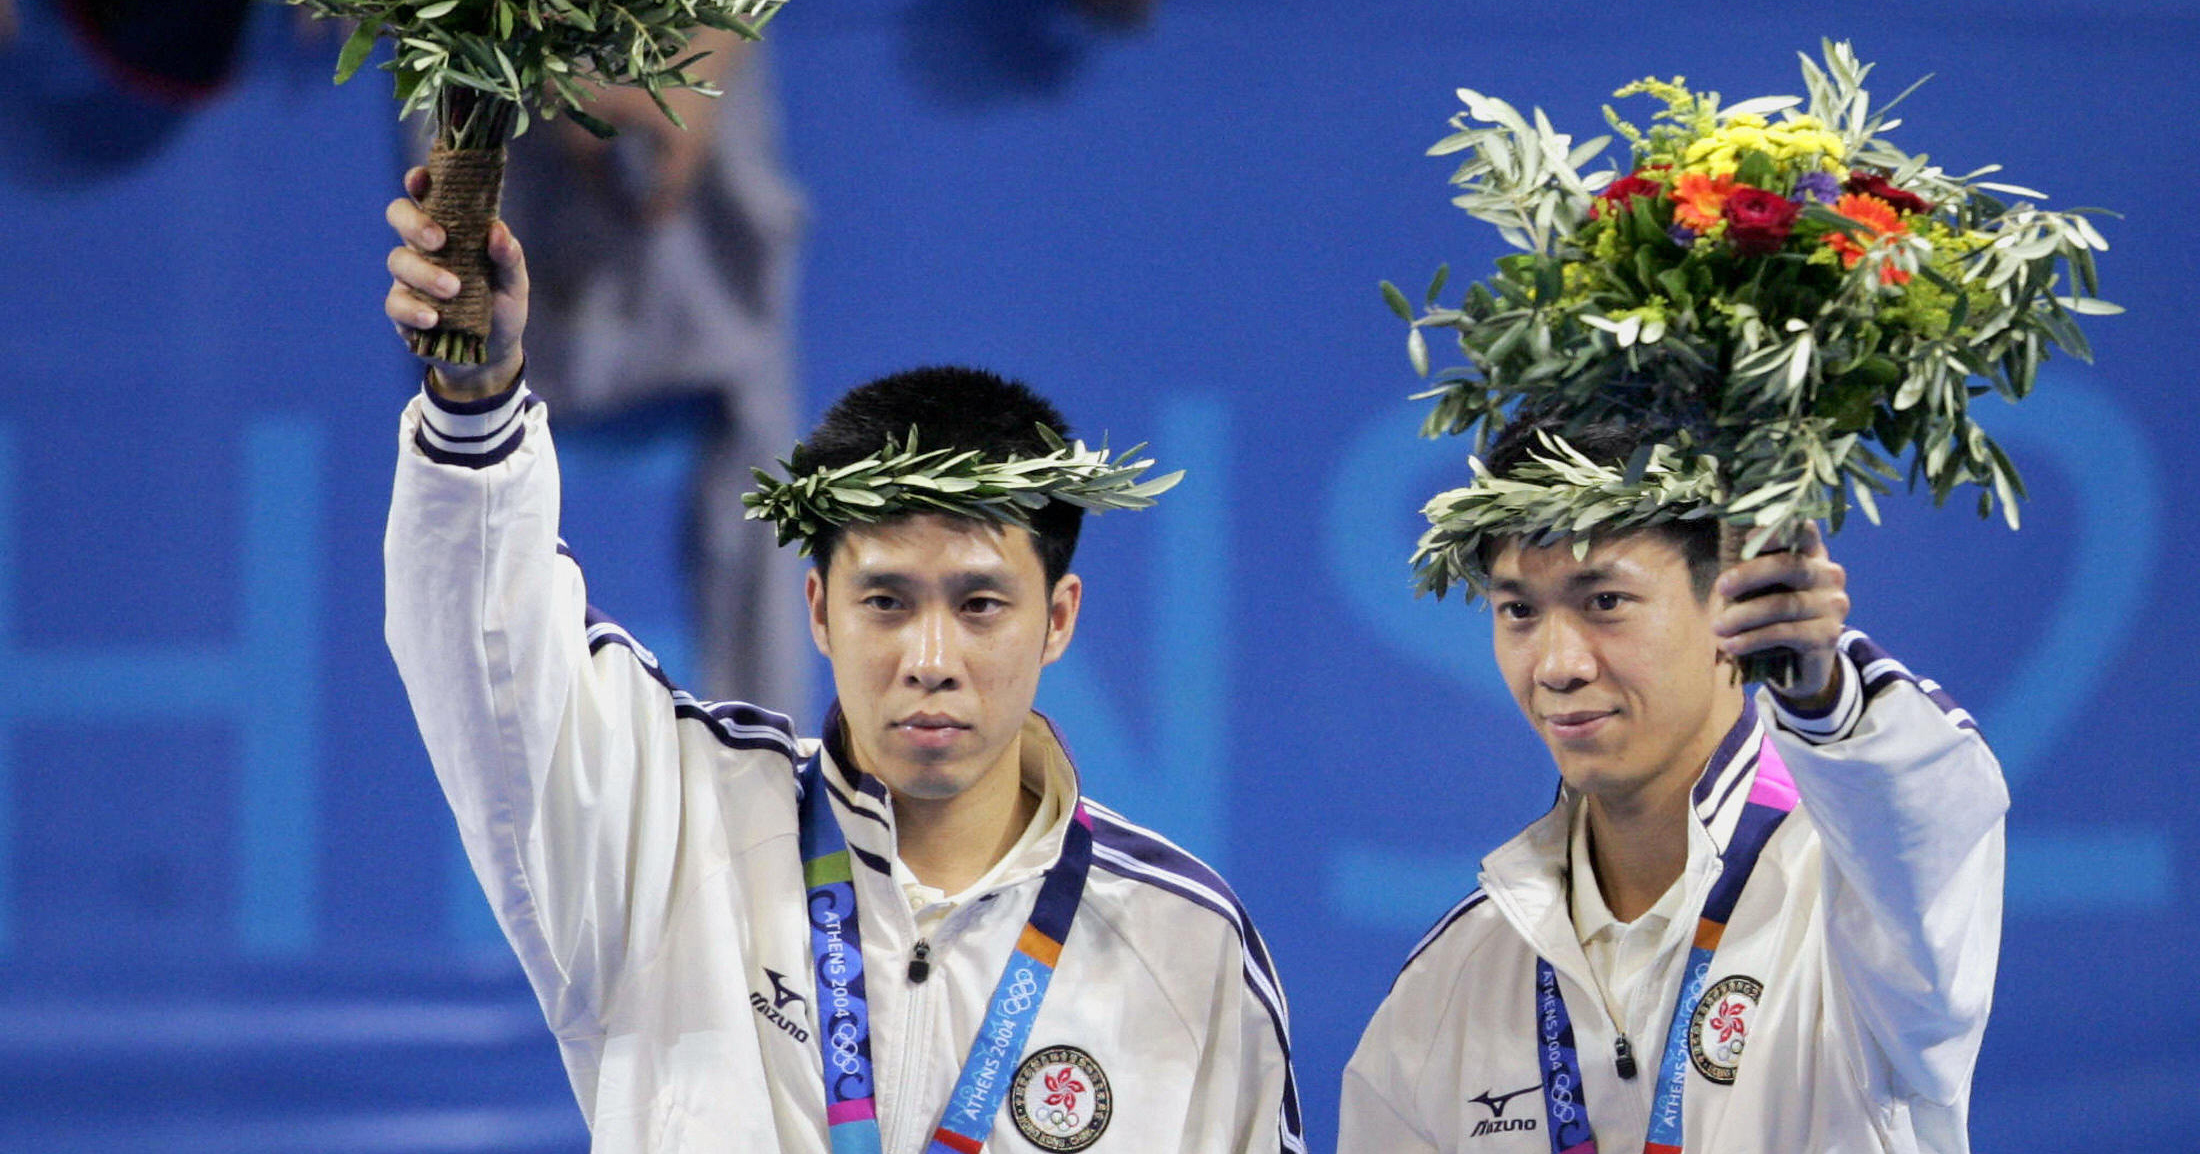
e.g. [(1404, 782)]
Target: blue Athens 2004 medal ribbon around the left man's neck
[(846, 1012)]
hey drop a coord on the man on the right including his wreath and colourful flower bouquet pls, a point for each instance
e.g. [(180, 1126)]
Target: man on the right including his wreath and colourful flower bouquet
[(1754, 920)]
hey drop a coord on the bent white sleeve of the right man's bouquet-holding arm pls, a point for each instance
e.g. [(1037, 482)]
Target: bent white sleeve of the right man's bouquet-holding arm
[(1908, 803)]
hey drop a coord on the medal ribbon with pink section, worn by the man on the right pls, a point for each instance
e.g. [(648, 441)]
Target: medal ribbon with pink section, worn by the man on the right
[(1772, 799)]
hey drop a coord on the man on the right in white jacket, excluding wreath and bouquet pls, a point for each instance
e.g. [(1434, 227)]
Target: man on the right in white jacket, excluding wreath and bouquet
[(1812, 876)]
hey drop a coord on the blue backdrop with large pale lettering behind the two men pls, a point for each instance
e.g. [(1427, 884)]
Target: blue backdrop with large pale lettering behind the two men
[(232, 913)]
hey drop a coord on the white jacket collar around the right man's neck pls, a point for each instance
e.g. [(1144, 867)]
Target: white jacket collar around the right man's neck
[(1528, 876)]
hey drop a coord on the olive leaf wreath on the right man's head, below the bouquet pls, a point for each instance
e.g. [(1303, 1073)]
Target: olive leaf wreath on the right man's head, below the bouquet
[(1554, 496)]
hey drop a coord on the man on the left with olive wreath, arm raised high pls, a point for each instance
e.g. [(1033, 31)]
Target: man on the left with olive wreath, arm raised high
[(910, 935)]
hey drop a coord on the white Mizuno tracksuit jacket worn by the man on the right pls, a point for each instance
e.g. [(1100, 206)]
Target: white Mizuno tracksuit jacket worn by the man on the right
[(1871, 922)]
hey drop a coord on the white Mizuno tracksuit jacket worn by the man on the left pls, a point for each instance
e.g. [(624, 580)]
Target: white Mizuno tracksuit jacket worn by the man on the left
[(639, 850)]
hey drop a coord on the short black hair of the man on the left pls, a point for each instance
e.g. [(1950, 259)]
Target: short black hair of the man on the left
[(949, 408)]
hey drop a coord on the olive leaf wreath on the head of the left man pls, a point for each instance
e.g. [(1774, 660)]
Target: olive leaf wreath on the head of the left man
[(905, 478)]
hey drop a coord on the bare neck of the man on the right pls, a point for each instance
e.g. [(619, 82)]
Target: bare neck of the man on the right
[(1638, 839)]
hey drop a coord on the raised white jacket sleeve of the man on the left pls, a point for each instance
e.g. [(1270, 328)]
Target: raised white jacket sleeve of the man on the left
[(564, 770)]
